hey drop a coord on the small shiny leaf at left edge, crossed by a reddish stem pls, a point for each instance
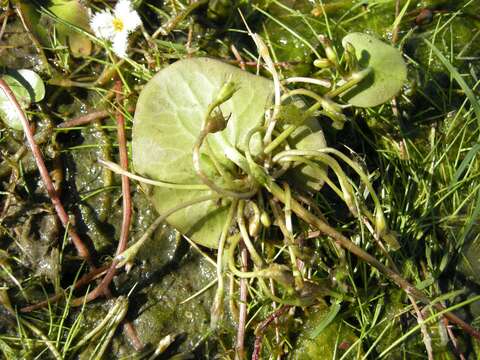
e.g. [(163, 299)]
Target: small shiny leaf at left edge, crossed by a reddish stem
[(28, 87)]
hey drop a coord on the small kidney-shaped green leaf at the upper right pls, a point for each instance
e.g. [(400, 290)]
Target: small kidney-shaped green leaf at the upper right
[(388, 75)]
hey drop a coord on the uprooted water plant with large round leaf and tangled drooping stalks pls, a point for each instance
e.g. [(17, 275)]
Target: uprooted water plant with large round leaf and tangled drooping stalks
[(226, 151)]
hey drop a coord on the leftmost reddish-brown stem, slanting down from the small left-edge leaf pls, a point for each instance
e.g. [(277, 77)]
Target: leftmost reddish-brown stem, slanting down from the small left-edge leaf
[(47, 181)]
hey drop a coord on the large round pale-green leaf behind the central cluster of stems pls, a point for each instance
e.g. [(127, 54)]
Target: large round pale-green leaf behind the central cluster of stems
[(168, 117)]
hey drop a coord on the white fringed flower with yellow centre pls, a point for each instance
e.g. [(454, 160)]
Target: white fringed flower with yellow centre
[(116, 27)]
